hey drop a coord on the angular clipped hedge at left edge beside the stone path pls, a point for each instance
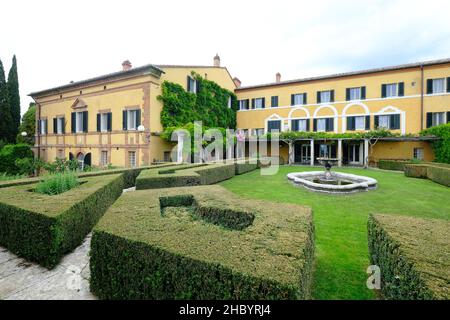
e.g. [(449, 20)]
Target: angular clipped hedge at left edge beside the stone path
[(41, 228)]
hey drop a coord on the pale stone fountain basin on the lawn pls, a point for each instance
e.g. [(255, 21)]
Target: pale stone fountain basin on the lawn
[(339, 182)]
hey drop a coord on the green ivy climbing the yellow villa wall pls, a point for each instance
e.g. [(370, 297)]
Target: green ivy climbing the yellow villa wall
[(209, 105)]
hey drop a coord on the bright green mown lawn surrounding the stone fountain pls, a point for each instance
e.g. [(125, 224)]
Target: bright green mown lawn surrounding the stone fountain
[(341, 220)]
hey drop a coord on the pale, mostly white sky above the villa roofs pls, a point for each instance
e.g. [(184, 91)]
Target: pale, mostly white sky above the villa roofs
[(59, 41)]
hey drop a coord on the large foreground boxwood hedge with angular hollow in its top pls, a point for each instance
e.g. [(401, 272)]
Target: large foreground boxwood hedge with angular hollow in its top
[(183, 243)]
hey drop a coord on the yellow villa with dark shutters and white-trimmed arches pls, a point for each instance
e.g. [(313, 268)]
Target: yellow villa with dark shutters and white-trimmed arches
[(97, 120)]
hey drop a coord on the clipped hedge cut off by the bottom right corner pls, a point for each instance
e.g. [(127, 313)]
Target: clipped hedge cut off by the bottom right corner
[(413, 256)]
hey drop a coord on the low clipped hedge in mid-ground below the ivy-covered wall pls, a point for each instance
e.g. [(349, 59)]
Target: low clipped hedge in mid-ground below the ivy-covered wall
[(185, 175)]
